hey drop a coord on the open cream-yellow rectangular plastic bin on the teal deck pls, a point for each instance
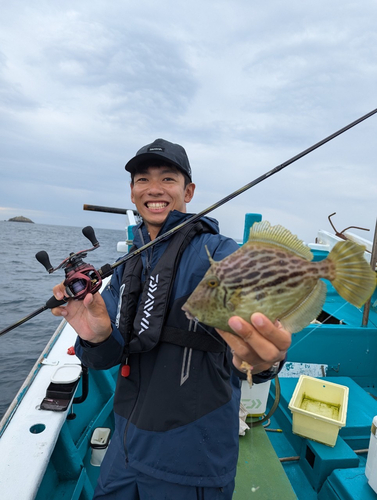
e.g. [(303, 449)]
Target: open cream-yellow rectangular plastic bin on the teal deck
[(319, 409)]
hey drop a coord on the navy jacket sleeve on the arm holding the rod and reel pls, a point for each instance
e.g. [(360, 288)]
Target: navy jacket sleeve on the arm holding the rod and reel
[(108, 353)]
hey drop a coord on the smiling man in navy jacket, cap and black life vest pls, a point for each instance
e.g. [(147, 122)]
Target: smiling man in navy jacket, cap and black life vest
[(178, 390)]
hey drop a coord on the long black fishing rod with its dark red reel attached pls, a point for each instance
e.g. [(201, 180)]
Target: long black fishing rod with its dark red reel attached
[(82, 278)]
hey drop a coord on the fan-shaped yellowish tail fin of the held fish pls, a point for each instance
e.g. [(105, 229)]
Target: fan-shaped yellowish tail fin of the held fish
[(354, 280)]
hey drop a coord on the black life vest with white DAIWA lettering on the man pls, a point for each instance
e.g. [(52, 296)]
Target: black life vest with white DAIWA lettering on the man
[(144, 317)]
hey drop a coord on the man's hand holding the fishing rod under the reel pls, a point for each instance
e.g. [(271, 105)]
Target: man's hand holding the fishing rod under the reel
[(88, 317)]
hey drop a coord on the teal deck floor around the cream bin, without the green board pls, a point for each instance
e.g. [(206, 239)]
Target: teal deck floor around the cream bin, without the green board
[(319, 470)]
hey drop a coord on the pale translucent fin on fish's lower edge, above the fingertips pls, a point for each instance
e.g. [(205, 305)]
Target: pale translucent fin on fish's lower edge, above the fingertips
[(303, 313)]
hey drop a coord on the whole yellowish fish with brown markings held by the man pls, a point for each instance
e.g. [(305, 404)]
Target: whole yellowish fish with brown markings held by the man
[(273, 274)]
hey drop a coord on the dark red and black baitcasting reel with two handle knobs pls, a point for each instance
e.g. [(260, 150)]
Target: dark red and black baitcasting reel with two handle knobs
[(80, 278)]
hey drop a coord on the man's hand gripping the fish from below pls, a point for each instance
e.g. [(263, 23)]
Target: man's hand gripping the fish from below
[(260, 344)]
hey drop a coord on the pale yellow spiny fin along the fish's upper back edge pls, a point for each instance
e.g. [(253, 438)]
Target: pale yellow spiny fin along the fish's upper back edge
[(278, 235)]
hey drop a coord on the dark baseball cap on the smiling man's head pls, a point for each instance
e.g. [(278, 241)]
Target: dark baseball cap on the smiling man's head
[(161, 150)]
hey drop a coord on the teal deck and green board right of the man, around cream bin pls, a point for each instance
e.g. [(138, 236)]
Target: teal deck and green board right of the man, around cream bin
[(315, 470)]
